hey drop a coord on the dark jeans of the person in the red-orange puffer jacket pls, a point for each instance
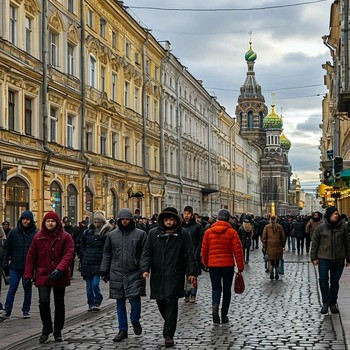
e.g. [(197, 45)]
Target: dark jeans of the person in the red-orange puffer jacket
[(221, 282)]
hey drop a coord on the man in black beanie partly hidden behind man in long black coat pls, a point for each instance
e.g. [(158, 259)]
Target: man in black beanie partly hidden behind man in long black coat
[(196, 231)]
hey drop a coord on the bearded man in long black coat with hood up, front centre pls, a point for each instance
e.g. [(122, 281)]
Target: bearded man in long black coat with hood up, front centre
[(167, 258)]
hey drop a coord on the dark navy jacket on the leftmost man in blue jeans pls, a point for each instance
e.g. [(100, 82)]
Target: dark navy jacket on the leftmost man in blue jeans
[(16, 246)]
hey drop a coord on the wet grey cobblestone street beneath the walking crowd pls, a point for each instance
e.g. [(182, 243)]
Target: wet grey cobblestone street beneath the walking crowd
[(282, 314)]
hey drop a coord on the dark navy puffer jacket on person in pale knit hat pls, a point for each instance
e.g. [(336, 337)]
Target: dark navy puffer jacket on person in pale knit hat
[(91, 250)]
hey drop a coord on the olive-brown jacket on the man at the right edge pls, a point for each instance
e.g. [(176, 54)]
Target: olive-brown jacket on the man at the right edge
[(330, 242)]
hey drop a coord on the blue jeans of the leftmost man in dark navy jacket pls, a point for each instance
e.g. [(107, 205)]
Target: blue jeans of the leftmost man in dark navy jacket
[(15, 277)]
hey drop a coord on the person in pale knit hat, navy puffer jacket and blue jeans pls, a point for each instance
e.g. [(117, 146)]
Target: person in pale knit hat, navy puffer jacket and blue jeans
[(91, 251)]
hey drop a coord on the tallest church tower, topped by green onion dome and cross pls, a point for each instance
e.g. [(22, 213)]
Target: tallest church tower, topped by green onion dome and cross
[(251, 108)]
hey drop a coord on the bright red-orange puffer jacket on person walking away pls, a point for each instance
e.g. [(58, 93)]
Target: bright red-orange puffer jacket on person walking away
[(222, 246)]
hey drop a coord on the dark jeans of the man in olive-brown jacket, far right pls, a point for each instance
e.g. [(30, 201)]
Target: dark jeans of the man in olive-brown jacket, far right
[(333, 269)]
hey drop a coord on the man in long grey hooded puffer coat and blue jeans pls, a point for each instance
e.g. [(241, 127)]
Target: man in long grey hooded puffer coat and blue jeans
[(121, 265)]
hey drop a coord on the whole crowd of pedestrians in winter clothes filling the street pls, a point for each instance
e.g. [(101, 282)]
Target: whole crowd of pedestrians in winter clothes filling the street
[(171, 248)]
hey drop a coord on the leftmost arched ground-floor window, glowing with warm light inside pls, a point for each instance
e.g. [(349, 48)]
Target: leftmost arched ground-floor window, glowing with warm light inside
[(17, 199)]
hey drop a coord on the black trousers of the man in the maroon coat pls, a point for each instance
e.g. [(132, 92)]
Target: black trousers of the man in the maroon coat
[(45, 309)]
